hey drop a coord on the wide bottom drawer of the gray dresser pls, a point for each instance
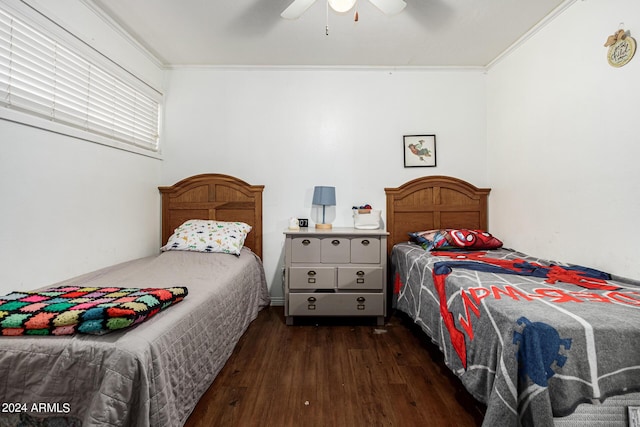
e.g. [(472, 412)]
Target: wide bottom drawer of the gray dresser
[(333, 304)]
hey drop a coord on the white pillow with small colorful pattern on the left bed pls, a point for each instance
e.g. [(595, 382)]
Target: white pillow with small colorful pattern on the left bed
[(208, 236)]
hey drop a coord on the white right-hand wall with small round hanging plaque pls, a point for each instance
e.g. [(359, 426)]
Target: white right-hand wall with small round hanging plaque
[(564, 144)]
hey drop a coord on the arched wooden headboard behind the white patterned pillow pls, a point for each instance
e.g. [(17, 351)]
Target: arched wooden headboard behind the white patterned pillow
[(213, 197)]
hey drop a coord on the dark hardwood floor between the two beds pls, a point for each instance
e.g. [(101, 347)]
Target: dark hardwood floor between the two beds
[(334, 372)]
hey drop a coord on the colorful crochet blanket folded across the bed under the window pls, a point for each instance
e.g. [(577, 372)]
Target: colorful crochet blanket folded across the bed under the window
[(74, 309)]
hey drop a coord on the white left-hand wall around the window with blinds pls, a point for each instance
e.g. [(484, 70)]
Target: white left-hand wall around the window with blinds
[(69, 206)]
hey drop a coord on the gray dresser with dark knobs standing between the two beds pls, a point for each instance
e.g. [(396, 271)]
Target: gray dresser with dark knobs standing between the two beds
[(335, 272)]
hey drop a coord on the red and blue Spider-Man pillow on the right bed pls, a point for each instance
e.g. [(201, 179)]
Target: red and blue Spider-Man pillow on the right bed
[(455, 239)]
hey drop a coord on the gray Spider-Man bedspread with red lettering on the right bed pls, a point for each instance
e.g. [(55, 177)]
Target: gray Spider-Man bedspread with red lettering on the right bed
[(530, 338)]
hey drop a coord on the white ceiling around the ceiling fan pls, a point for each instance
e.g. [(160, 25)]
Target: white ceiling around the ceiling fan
[(252, 33)]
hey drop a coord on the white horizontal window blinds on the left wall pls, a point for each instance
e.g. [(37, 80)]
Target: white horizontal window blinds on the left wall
[(41, 77)]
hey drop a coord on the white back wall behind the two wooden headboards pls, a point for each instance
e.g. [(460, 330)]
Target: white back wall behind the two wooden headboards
[(293, 129)]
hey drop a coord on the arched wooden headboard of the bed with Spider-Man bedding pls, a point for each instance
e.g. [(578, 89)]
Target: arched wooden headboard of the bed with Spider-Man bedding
[(434, 202)]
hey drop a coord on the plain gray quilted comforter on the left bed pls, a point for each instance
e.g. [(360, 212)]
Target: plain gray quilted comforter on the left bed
[(152, 374)]
